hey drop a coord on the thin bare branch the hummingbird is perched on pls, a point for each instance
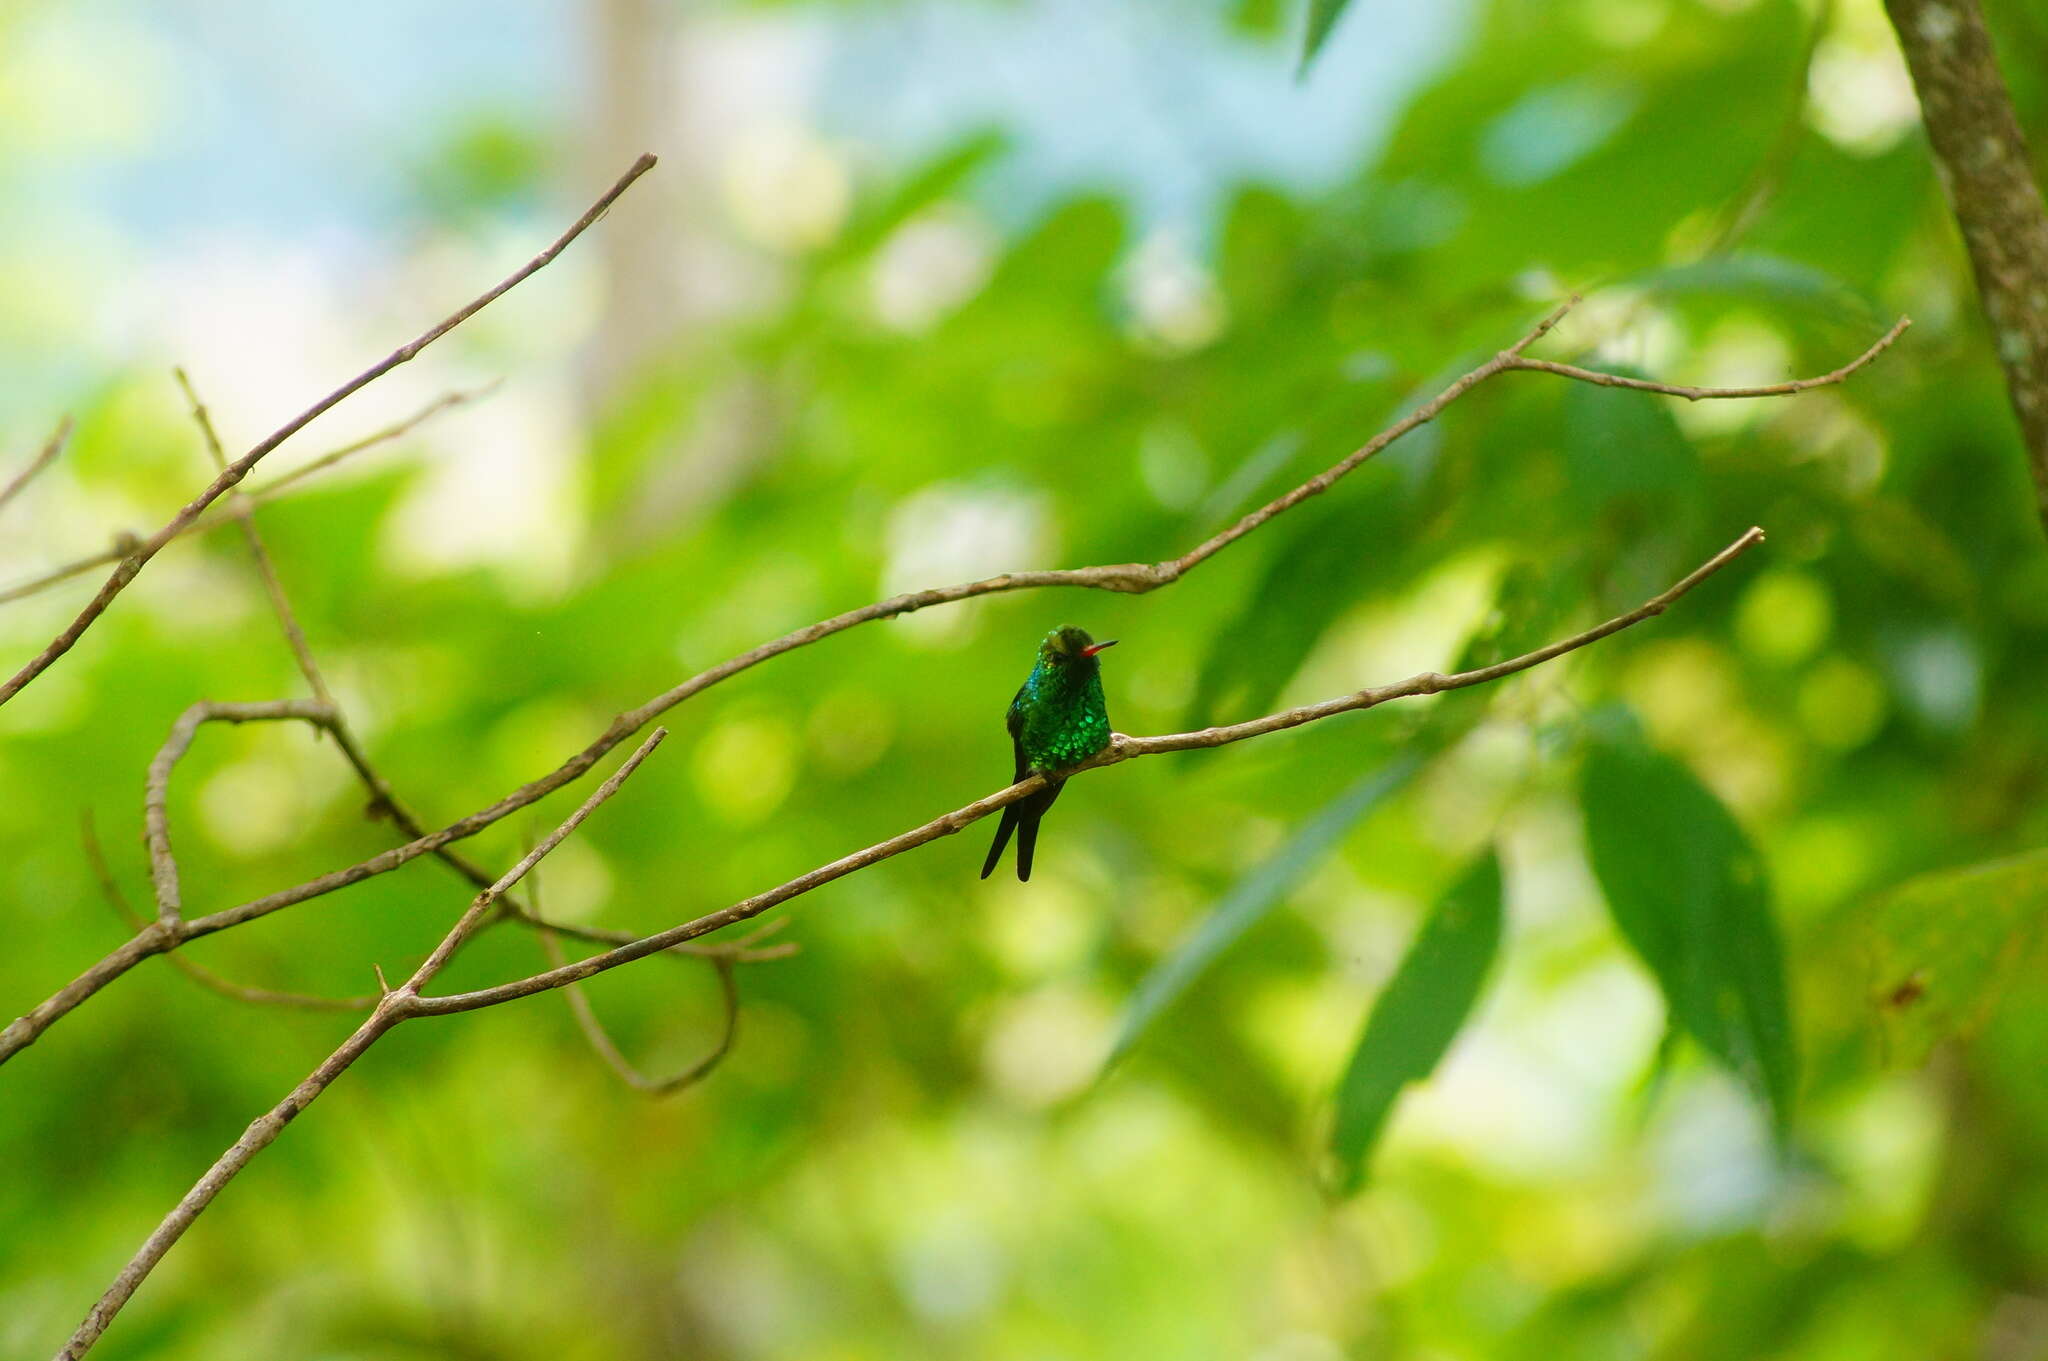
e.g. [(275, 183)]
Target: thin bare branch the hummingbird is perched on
[(1121, 750)]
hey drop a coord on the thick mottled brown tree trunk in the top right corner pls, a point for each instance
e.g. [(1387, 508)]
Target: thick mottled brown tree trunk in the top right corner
[(1990, 177)]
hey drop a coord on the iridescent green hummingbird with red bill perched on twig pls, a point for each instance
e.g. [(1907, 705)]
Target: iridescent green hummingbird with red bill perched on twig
[(1058, 721)]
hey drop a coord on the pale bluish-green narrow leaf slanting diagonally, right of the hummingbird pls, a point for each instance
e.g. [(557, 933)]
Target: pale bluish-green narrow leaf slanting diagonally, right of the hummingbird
[(1252, 897)]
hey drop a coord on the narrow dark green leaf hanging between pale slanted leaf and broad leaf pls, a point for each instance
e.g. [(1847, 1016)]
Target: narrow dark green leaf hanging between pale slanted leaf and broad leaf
[(1418, 1014)]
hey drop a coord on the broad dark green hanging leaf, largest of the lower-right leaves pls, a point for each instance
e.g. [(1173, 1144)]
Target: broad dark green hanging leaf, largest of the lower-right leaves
[(1691, 897)]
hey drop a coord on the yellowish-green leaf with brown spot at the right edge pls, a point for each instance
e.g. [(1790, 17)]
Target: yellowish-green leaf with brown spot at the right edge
[(1947, 947)]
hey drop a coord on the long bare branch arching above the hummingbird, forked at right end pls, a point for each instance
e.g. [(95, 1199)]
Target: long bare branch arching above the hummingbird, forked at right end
[(1129, 578)]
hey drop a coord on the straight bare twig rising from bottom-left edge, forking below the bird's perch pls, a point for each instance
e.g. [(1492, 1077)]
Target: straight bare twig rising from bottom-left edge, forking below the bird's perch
[(392, 1010)]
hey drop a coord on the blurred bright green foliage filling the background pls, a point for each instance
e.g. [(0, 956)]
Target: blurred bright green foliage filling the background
[(910, 1153)]
